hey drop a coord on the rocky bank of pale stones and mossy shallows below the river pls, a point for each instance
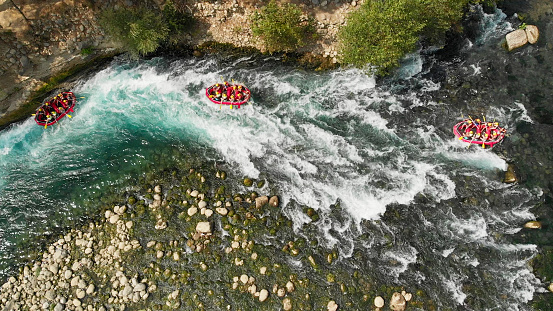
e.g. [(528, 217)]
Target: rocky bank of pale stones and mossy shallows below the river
[(190, 242)]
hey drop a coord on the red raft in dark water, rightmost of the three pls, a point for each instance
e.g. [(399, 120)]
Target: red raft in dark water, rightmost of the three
[(480, 133)]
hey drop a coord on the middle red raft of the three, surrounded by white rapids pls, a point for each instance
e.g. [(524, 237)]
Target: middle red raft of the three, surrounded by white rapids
[(233, 95)]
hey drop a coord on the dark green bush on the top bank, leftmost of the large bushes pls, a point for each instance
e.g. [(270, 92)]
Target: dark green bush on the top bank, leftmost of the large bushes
[(143, 30)]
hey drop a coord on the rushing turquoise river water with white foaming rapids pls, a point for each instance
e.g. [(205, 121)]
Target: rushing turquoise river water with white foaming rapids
[(432, 213)]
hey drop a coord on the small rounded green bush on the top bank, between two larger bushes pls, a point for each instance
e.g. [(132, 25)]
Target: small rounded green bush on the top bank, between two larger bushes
[(282, 28)]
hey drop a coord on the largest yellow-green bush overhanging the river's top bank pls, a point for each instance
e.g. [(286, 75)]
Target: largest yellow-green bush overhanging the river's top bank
[(381, 32)]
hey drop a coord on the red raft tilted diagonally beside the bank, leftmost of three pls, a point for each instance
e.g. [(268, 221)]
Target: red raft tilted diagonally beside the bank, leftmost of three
[(55, 109)]
